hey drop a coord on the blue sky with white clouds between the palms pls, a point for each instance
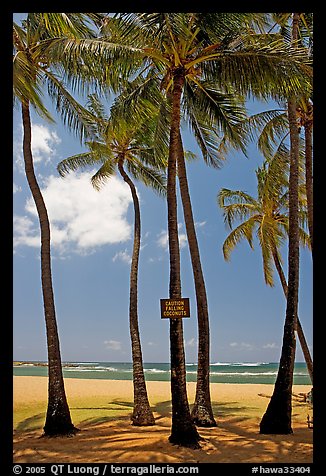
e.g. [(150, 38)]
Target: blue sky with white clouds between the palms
[(92, 233)]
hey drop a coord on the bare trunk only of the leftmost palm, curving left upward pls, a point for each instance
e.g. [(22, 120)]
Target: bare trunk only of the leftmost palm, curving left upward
[(58, 420)]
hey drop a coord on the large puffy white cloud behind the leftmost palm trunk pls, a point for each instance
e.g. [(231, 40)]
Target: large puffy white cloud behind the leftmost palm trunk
[(81, 217)]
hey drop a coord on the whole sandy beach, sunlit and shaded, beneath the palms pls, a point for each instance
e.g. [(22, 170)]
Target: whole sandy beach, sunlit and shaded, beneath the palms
[(101, 410)]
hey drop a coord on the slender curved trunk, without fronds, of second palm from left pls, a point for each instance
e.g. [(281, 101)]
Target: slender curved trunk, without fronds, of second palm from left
[(142, 414)]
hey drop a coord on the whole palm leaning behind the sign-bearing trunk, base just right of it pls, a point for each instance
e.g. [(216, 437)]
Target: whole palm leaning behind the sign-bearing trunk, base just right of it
[(227, 112)]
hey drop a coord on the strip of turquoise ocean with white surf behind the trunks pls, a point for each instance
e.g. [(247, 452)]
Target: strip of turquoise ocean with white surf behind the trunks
[(220, 372)]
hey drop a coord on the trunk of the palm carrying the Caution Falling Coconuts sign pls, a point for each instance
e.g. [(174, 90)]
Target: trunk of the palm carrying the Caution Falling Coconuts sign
[(183, 432)]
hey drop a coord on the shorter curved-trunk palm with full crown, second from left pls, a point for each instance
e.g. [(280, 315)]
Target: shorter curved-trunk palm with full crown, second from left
[(116, 147)]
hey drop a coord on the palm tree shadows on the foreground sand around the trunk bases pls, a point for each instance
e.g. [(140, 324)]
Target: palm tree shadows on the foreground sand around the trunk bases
[(112, 437)]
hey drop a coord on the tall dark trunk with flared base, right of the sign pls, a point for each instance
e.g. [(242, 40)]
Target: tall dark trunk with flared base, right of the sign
[(278, 416)]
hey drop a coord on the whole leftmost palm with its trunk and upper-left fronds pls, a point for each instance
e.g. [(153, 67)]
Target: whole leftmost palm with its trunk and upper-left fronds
[(32, 69)]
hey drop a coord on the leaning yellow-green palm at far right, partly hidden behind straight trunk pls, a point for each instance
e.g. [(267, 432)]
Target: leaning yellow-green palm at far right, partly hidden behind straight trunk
[(268, 216)]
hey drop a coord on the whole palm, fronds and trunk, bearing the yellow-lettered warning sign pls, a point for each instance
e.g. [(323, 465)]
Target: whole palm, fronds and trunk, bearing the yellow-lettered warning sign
[(176, 50)]
